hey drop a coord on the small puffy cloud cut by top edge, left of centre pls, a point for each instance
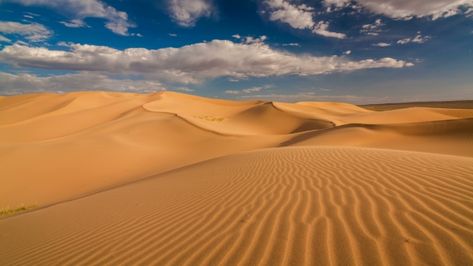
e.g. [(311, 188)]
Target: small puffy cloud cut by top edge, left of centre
[(187, 12)]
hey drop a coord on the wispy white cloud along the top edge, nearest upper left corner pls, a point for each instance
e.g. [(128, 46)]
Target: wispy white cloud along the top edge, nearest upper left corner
[(117, 21)]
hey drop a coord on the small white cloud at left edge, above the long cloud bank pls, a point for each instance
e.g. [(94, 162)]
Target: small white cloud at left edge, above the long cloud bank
[(33, 32)]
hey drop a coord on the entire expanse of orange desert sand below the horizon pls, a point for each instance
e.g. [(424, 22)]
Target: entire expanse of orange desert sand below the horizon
[(173, 179)]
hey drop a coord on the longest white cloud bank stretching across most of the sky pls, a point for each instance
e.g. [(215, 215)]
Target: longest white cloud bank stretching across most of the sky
[(188, 64)]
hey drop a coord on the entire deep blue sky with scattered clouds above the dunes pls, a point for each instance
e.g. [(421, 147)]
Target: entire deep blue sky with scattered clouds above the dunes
[(360, 51)]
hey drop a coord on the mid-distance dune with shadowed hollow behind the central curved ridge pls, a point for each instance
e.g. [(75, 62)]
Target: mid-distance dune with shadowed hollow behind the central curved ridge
[(238, 118)]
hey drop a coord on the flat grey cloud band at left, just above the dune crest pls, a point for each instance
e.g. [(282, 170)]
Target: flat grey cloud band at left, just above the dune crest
[(24, 82)]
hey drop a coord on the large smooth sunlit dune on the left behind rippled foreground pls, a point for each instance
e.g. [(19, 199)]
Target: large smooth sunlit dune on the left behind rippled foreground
[(112, 139)]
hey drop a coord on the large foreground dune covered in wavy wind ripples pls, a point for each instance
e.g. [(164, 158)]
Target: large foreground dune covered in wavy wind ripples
[(283, 206)]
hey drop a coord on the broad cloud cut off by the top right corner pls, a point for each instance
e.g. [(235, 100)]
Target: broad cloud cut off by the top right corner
[(406, 9)]
